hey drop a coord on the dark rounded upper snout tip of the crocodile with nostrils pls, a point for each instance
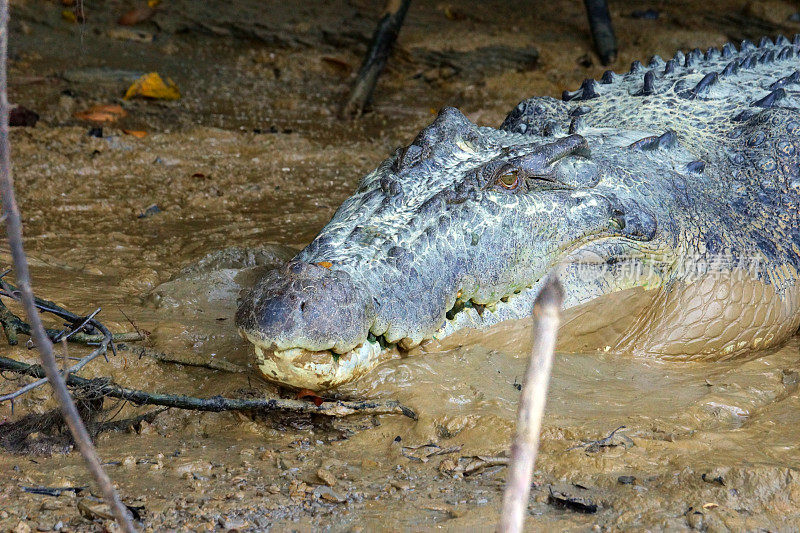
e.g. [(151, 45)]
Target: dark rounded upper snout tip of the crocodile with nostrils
[(307, 306)]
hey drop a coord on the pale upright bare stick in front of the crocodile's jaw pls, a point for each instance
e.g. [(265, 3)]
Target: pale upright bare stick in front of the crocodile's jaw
[(546, 316)]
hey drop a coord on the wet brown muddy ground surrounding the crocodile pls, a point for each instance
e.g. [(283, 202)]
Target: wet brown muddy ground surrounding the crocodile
[(253, 156)]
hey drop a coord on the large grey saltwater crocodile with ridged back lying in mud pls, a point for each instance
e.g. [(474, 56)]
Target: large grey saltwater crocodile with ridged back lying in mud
[(667, 197)]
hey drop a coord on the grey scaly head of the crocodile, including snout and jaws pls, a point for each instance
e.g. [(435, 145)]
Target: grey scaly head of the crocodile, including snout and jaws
[(454, 230)]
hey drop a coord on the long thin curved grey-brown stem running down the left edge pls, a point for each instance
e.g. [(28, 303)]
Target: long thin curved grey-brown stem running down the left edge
[(42, 341)]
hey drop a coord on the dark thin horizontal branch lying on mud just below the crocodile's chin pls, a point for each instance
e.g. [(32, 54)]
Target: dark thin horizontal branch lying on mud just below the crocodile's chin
[(105, 387)]
